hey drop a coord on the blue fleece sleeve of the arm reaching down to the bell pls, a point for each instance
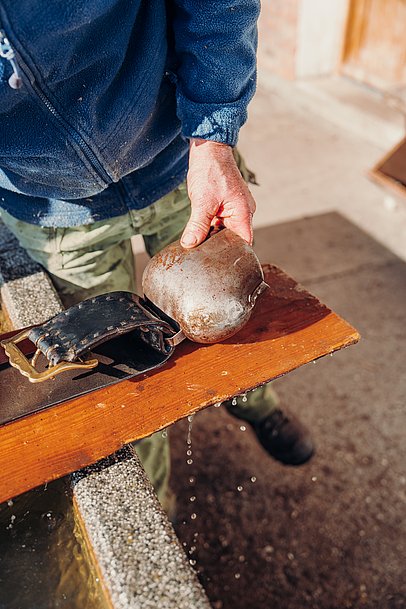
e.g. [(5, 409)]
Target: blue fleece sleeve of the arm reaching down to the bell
[(215, 43)]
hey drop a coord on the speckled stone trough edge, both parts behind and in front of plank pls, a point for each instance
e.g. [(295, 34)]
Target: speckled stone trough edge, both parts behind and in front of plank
[(138, 554)]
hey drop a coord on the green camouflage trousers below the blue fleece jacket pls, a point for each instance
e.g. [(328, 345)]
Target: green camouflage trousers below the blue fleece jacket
[(89, 260)]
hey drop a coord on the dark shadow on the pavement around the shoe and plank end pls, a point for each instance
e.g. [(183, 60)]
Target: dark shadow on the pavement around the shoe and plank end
[(328, 535)]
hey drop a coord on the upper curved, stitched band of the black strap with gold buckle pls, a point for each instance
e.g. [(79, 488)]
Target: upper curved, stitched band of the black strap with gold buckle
[(68, 336)]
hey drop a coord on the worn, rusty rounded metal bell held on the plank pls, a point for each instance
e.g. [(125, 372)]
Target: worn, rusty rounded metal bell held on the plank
[(209, 290)]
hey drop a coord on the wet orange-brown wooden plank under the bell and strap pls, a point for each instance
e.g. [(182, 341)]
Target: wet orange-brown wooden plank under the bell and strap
[(289, 328)]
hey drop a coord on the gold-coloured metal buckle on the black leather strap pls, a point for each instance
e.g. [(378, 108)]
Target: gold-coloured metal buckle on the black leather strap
[(27, 367)]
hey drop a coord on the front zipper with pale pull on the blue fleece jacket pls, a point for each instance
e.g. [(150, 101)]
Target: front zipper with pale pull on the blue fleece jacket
[(15, 82)]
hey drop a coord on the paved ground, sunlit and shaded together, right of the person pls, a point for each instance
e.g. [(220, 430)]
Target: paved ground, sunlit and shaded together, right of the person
[(327, 535)]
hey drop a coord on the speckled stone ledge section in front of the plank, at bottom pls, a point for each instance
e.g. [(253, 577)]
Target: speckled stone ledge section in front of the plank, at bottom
[(138, 553)]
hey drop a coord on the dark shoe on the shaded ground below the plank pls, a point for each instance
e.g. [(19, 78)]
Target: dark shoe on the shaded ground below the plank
[(285, 438)]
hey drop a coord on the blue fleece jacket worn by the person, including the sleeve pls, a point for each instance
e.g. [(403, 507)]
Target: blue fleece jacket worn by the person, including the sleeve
[(111, 90)]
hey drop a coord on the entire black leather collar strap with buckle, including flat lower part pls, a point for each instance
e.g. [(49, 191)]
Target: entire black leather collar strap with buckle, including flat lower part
[(126, 337)]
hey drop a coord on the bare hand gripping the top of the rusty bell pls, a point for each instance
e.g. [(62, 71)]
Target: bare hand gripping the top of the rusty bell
[(217, 192)]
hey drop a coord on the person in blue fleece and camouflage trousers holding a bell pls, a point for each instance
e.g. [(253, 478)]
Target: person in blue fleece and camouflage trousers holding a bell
[(106, 106)]
